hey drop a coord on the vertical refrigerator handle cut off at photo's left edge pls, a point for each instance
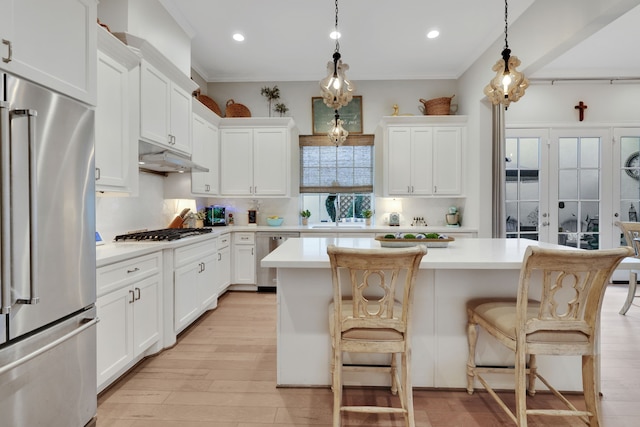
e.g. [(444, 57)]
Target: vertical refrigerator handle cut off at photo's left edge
[(5, 202)]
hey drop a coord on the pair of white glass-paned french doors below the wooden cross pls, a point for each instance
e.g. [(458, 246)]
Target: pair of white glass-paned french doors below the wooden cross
[(558, 185)]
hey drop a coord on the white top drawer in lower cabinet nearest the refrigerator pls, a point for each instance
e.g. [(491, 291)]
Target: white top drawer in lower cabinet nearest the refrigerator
[(115, 276)]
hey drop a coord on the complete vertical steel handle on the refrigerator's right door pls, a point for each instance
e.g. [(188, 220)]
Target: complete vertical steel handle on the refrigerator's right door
[(30, 115)]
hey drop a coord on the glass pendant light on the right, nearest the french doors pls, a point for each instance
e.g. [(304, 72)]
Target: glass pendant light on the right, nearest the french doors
[(509, 84)]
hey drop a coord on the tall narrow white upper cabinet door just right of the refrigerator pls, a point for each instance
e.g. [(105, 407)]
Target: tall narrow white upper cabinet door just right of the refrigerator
[(116, 116)]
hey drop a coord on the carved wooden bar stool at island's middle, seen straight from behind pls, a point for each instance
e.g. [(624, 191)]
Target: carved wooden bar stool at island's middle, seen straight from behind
[(375, 318)]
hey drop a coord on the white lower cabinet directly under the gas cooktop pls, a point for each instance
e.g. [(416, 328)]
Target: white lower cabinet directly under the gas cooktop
[(195, 288)]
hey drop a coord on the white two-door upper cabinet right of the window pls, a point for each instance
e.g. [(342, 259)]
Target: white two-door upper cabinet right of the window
[(422, 156)]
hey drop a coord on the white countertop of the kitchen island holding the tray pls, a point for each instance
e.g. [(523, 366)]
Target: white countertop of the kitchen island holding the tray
[(462, 253)]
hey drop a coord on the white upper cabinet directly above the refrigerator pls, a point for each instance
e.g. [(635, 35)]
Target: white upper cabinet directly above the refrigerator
[(52, 43)]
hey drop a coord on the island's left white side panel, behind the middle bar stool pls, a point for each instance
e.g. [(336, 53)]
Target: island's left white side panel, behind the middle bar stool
[(303, 343)]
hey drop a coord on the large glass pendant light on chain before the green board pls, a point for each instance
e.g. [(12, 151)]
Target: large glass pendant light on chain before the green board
[(336, 89)]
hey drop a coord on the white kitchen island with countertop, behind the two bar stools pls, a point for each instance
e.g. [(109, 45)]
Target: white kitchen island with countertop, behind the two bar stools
[(448, 277)]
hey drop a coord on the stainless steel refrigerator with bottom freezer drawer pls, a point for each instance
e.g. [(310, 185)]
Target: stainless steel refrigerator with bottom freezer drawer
[(47, 253)]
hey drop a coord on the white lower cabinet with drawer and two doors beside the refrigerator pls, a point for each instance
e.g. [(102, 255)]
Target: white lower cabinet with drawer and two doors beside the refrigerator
[(129, 305)]
